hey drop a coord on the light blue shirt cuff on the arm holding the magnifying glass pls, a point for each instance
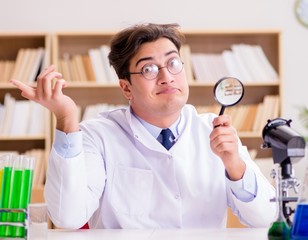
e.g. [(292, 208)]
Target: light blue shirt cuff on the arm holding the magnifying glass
[(245, 189)]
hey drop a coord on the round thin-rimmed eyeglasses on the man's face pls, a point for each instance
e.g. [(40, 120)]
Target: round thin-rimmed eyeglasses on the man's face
[(151, 70)]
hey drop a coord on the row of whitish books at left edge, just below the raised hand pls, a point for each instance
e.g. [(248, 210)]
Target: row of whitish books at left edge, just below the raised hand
[(21, 117)]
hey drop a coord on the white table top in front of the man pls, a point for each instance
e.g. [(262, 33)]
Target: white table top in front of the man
[(155, 234)]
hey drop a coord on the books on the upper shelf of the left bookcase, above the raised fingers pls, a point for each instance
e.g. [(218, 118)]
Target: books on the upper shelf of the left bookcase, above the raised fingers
[(26, 67)]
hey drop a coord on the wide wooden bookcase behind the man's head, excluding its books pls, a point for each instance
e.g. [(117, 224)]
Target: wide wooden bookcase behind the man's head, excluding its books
[(201, 92)]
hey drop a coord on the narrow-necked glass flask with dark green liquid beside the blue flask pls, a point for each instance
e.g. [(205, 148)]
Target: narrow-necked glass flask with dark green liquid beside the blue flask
[(279, 230)]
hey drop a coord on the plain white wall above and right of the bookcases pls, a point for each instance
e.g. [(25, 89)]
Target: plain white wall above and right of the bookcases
[(62, 15)]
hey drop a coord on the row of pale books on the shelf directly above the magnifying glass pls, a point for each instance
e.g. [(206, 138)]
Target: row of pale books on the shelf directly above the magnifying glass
[(246, 62)]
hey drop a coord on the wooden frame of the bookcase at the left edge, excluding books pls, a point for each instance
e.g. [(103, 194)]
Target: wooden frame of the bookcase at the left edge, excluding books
[(10, 44)]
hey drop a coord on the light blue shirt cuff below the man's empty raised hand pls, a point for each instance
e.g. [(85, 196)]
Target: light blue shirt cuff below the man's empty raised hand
[(68, 145)]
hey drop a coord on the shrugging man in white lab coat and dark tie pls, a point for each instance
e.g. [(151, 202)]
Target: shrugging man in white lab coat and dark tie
[(114, 172)]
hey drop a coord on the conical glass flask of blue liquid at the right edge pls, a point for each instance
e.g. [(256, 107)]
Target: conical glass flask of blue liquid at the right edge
[(299, 229)]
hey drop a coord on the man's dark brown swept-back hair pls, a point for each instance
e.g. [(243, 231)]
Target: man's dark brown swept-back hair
[(127, 42)]
